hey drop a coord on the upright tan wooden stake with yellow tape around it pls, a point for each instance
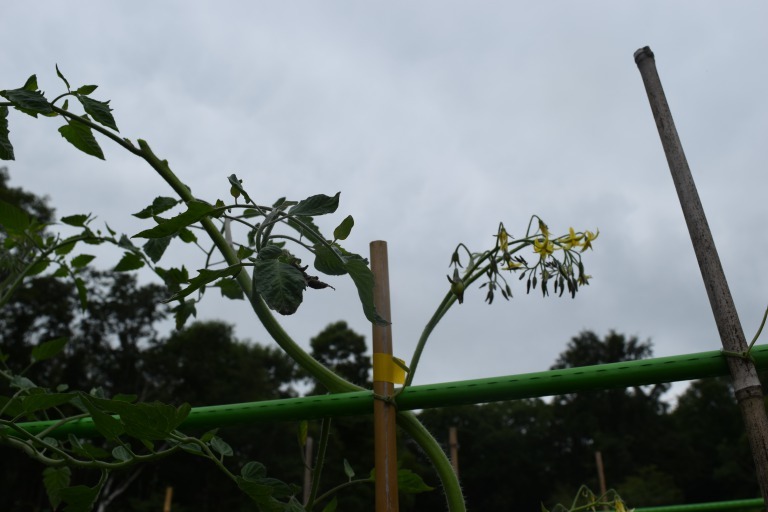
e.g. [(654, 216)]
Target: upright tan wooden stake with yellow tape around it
[(384, 412)]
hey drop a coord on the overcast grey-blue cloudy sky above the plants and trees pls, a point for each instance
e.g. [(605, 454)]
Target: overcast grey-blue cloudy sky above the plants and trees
[(435, 120)]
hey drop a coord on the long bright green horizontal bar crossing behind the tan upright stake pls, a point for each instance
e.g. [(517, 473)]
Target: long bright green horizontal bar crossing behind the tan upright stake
[(528, 385)]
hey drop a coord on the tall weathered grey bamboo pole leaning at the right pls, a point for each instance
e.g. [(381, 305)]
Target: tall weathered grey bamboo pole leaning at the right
[(749, 393)]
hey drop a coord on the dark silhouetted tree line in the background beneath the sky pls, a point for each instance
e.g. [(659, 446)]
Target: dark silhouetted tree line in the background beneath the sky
[(512, 455)]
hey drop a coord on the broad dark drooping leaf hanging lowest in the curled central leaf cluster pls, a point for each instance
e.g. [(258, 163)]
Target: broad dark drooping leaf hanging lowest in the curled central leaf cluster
[(280, 285)]
